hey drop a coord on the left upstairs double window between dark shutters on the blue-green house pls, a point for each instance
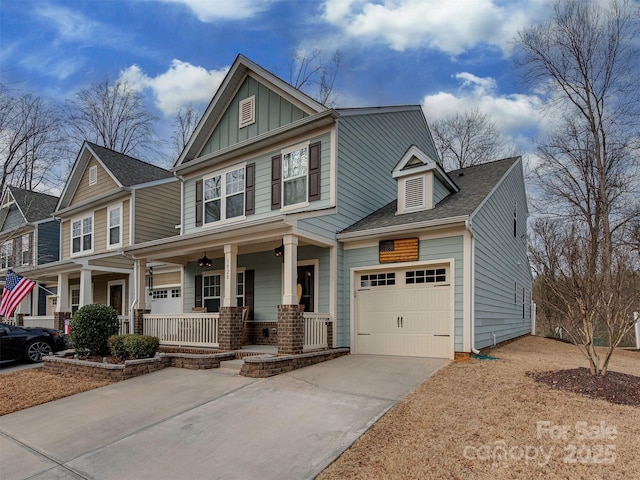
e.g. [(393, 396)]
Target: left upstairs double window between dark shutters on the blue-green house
[(224, 196)]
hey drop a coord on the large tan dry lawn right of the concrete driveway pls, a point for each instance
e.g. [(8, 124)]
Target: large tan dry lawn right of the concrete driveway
[(486, 419)]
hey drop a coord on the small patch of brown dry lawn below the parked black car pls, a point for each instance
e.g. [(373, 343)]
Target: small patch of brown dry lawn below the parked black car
[(31, 387)]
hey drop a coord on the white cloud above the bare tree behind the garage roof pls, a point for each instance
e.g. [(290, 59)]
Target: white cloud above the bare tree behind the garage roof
[(513, 113)]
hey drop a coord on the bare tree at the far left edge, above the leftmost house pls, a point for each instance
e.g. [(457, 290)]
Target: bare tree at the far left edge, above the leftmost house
[(30, 141)]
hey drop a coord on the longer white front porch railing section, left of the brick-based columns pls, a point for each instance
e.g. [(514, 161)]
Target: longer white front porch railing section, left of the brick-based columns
[(185, 330)]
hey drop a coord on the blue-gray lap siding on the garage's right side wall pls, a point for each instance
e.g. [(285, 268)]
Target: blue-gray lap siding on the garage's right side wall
[(502, 263)]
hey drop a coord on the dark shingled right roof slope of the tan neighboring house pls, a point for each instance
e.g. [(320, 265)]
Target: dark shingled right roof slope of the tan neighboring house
[(128, 170)]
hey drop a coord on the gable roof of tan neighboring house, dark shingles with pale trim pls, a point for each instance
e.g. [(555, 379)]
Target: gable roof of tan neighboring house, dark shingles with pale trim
[(126, 171)]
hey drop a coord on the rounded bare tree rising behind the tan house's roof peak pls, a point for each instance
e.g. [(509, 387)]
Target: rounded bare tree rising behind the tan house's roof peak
[(113, 116)]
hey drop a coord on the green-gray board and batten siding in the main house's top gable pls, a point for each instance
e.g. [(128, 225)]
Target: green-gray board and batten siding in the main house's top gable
[(271, 111)]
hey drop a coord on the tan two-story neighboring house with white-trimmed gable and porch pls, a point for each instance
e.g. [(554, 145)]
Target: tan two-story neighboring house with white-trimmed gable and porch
[(110, 202)]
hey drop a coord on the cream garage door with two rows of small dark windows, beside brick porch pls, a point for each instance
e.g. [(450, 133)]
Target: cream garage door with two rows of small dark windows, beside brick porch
[(405, 312)]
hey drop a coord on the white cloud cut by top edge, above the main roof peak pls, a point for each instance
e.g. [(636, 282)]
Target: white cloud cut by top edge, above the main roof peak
[(212, 10)]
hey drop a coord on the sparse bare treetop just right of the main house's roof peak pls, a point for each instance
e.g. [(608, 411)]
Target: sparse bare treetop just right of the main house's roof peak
[(312, 73)]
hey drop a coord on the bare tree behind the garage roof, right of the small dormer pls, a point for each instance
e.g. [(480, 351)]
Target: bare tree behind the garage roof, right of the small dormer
[(469, 138)]
